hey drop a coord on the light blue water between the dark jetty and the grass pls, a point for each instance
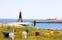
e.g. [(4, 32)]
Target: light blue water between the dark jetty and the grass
[(48, 25)]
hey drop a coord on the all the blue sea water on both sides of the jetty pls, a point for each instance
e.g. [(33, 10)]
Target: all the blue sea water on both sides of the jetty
[(54, 26)]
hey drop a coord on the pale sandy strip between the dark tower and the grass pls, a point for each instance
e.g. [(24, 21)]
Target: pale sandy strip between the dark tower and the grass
[(15, 24)]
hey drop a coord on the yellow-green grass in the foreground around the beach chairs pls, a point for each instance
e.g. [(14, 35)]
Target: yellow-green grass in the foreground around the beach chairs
[(31, 34)]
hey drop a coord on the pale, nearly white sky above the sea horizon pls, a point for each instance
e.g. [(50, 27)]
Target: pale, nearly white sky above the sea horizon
[(31, 9)]
